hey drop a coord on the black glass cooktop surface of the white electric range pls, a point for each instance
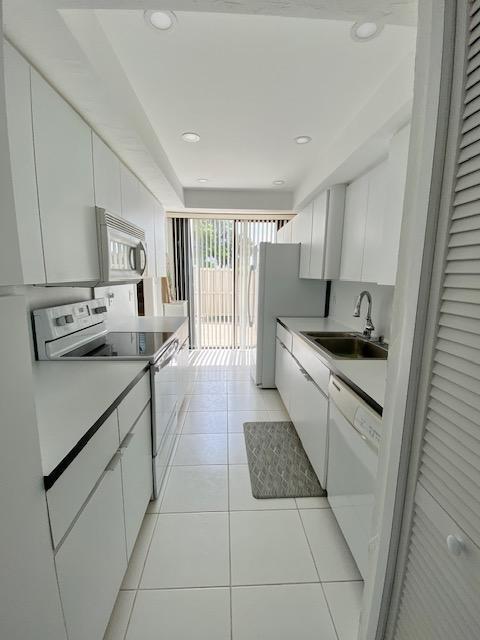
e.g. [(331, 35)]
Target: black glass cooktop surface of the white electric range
[(123, 345)]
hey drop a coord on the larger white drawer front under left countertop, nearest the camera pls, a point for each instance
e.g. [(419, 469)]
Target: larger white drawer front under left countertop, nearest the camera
[(70, 491)]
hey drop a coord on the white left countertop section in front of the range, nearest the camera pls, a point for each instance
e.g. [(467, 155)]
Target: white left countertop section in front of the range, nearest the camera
[(70, 397)]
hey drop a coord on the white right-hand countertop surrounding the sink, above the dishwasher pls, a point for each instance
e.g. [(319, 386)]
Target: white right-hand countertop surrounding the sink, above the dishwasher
[(368, 375)]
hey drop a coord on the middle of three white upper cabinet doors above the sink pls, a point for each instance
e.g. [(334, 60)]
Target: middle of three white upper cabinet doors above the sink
[(374, 250)]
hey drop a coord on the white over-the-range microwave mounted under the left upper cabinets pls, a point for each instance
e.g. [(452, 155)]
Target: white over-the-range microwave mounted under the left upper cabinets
[(122, 251)]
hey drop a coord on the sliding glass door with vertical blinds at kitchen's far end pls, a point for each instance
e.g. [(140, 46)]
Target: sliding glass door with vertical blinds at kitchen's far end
[(220, 255)]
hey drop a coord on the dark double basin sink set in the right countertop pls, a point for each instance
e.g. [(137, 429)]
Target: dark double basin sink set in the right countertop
[(347, 346)]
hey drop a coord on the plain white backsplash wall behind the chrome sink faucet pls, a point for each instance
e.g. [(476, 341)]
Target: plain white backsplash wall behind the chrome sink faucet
[(342, 301)]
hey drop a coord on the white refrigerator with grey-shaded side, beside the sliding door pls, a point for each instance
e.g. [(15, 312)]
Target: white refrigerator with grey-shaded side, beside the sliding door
[(274, 289)]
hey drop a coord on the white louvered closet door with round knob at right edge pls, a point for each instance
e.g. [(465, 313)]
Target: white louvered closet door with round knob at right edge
[(441, 589)]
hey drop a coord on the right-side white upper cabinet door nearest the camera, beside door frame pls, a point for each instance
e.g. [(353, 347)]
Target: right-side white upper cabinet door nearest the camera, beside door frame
[(392, 220)]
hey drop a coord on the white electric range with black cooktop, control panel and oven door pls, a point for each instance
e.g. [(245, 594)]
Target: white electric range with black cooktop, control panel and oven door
[(79, 331)]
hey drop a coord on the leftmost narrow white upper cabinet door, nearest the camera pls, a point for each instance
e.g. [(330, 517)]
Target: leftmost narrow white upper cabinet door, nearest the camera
[(20, 135)]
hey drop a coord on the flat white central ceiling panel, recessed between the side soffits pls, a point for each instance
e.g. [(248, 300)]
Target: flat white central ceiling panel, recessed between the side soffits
[(248, 85)]
